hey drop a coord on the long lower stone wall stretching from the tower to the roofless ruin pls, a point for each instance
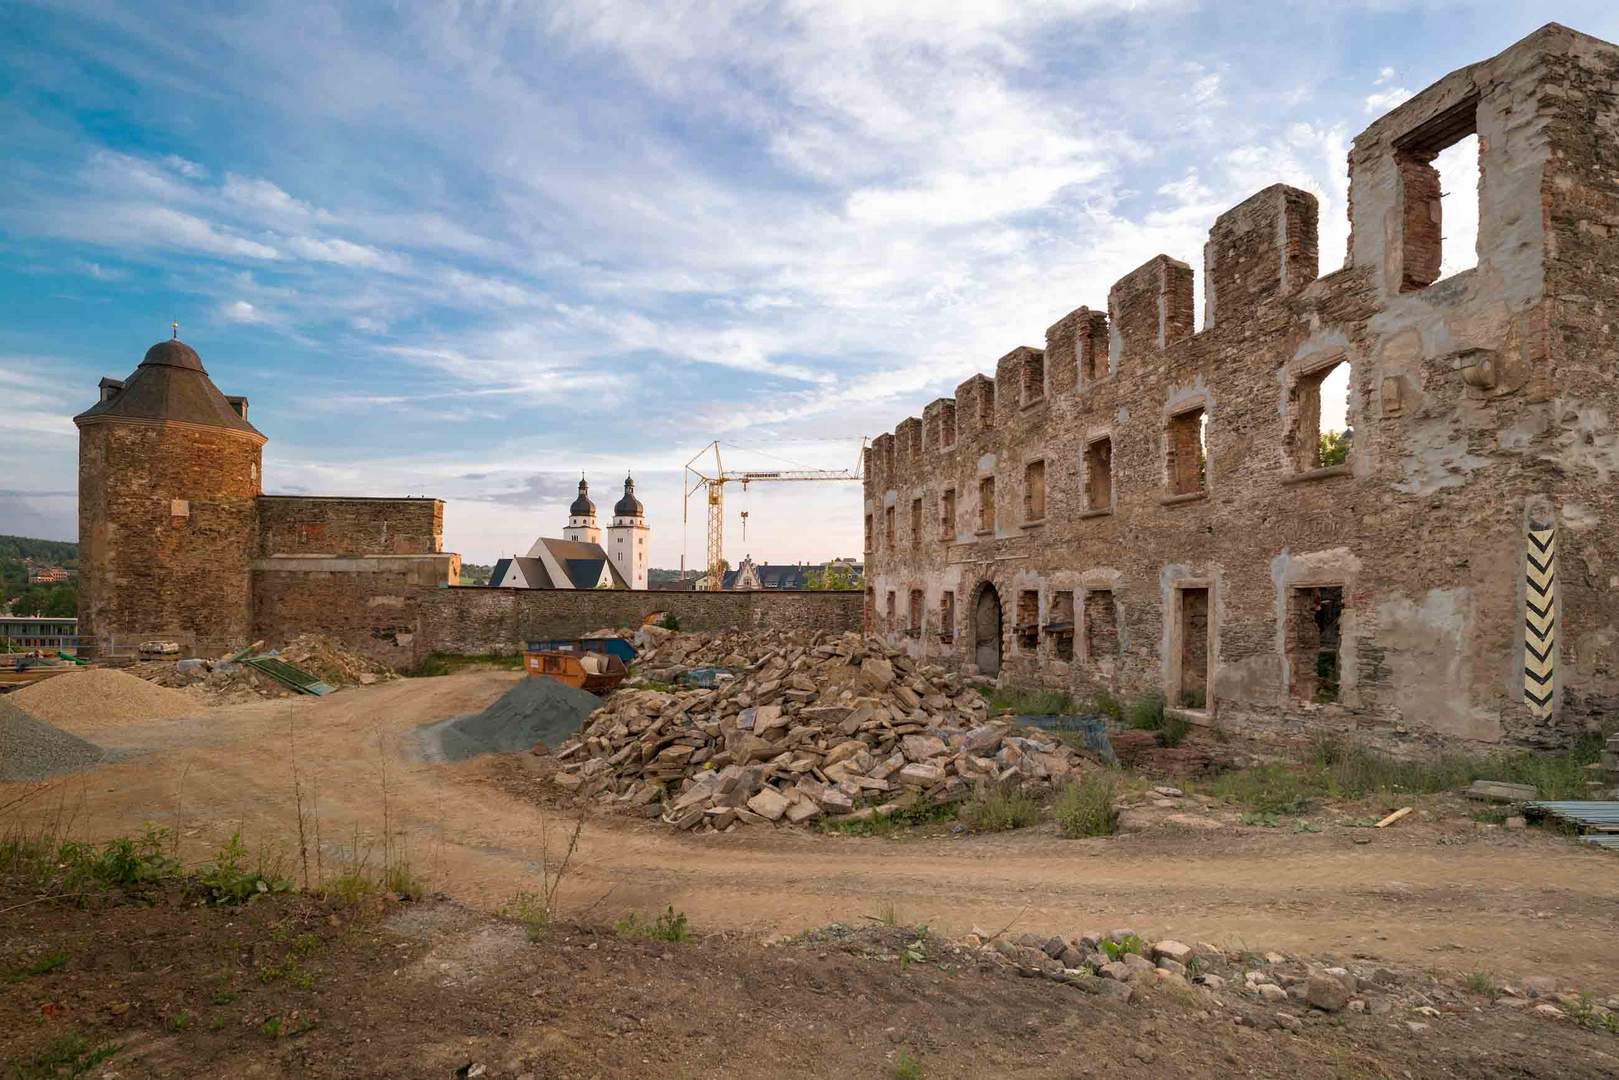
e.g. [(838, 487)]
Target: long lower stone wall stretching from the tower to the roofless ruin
[(399, 611)]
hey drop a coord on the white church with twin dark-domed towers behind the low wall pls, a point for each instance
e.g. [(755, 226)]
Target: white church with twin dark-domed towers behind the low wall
[(580, 561)]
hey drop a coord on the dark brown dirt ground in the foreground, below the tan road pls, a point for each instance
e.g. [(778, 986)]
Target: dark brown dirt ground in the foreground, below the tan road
[(292, 989)]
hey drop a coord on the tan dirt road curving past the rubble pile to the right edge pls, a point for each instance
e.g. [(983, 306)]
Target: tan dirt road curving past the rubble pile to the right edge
[(1510, 903)]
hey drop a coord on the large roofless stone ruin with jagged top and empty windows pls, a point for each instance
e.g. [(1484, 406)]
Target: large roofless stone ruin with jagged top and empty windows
[(1142, 508)]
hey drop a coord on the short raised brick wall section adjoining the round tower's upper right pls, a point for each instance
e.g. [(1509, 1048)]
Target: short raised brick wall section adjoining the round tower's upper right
[(300, 525)]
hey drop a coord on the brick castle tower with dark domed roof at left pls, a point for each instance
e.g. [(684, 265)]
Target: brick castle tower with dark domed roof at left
[(169, 485)]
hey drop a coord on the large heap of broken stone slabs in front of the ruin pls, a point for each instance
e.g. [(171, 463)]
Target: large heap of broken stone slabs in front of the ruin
[(812, 726)]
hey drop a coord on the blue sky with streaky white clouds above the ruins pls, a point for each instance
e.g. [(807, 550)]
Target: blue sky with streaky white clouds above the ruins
[(470, 250)]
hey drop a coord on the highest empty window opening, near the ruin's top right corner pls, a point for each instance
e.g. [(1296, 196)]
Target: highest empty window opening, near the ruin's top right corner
[(1440, 177)]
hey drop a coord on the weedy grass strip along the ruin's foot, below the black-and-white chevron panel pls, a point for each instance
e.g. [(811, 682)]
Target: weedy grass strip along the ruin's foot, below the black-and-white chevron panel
[(1345, 770)]
